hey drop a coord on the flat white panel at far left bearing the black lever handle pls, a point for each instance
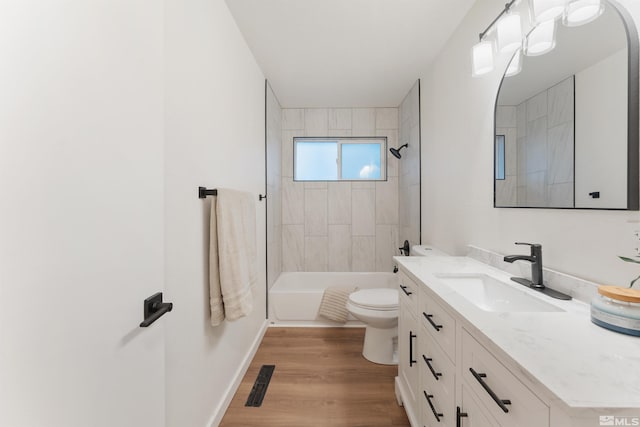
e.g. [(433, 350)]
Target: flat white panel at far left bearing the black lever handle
[(81, 213)]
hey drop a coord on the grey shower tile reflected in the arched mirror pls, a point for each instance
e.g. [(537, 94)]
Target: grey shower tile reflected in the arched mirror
[(538, 149)]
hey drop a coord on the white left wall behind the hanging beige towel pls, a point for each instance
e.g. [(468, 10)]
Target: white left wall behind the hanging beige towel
[(215, 123)]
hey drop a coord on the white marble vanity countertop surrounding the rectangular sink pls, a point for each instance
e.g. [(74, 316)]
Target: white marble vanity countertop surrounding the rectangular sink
[(568, 358)]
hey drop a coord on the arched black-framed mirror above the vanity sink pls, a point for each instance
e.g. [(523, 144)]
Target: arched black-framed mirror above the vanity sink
[(566, 126)]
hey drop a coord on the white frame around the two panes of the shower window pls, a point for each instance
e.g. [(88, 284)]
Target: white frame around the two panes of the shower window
[(340, 140)]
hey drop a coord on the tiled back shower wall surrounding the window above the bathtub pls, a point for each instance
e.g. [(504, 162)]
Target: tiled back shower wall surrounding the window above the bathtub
[(339, 226)]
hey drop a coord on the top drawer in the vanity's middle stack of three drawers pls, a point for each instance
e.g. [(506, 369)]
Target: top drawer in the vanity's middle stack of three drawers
[(438, 324)]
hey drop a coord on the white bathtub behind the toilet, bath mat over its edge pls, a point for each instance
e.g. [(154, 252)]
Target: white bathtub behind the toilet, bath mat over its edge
[(295, 297)]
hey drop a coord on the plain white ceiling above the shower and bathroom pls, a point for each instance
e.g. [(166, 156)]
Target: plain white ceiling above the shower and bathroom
[(345, 53)]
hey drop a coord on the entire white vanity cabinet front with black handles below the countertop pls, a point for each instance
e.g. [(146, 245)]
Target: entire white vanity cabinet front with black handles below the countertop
[(447, 378)]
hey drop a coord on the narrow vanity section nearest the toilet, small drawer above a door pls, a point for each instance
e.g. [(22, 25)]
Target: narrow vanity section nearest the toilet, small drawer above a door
[(408, 367)]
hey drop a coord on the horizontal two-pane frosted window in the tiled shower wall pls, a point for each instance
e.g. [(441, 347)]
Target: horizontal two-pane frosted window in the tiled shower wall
[(339, 159)]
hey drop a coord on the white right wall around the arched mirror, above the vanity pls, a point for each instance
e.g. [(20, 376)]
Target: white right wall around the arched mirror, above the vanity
[(457, 164)]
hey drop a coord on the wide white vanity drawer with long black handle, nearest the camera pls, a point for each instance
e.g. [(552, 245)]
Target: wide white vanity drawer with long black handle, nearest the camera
[(500, 392)]
